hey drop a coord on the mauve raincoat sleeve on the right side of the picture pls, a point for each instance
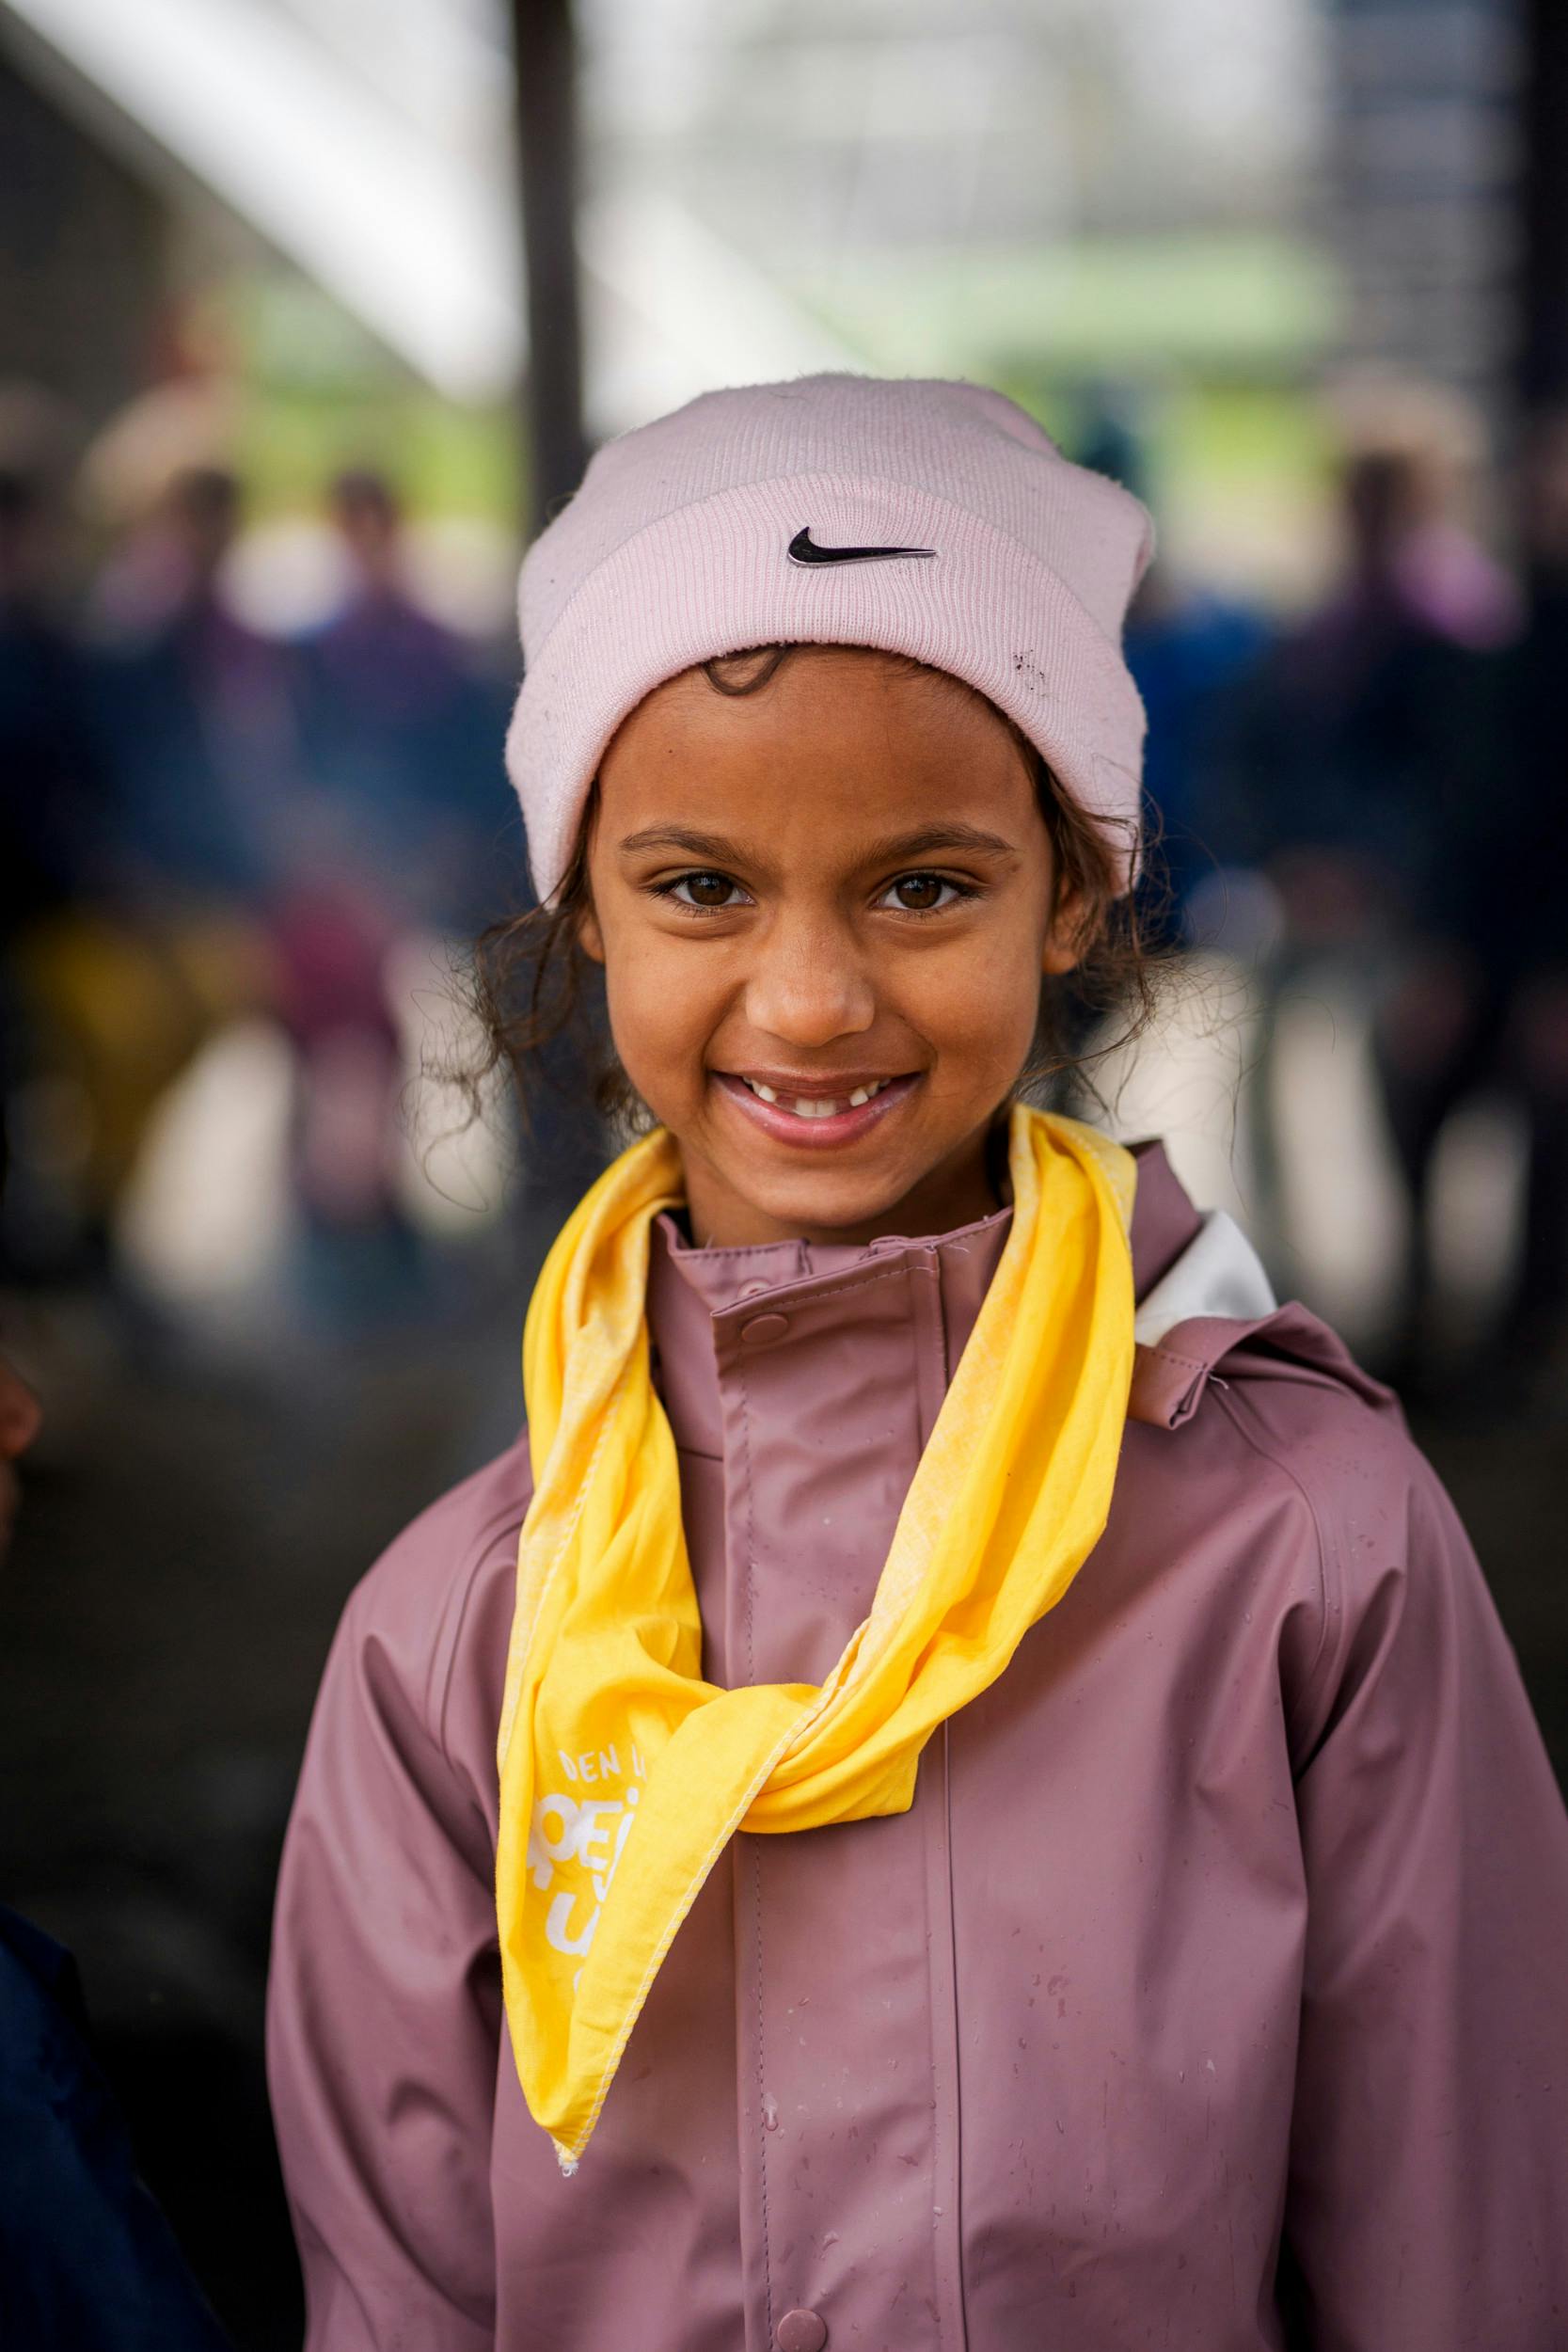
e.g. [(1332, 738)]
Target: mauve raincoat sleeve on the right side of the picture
[(1428, 2193)]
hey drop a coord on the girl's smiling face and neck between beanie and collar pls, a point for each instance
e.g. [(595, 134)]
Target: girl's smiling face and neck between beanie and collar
[(824, 916)]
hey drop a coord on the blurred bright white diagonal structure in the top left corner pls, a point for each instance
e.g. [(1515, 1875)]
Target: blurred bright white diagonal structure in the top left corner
[(373, 156)]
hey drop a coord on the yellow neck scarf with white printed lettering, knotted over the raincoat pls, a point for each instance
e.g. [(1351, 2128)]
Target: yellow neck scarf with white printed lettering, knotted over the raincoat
[(622, 1770)]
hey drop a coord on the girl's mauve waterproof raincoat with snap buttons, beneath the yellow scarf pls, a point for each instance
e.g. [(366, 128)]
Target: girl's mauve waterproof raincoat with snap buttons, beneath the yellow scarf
[(1209, 1993)]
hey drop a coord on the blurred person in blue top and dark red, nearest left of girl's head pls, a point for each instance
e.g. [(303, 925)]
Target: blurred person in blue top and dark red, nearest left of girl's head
[(401, 817)]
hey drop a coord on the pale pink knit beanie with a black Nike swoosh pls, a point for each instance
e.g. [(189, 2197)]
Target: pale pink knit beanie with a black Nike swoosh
[(916, 516)]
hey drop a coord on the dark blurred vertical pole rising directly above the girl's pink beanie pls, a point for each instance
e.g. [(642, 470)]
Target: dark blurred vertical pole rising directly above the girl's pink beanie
[(544, 51)]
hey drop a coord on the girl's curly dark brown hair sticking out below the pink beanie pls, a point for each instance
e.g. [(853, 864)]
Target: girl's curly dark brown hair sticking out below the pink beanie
[(540, 998)]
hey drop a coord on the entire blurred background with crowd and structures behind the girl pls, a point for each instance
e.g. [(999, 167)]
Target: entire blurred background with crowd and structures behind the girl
[(309, 314)]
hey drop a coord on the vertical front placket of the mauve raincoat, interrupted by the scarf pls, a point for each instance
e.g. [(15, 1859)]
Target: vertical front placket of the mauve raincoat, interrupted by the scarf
[(845, 1960)]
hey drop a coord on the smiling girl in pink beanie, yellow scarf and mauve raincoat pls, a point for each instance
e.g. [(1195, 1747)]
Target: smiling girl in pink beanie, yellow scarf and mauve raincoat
[(963, 1784)]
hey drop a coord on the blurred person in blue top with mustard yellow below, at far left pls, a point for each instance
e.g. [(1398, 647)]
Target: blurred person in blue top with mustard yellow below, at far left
[(173, 813)]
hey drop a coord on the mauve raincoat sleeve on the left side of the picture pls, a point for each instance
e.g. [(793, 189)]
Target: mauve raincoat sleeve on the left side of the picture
[(384, 2003)]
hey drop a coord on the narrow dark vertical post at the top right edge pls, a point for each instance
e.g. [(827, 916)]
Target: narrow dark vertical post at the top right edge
[(1543, 347)]
